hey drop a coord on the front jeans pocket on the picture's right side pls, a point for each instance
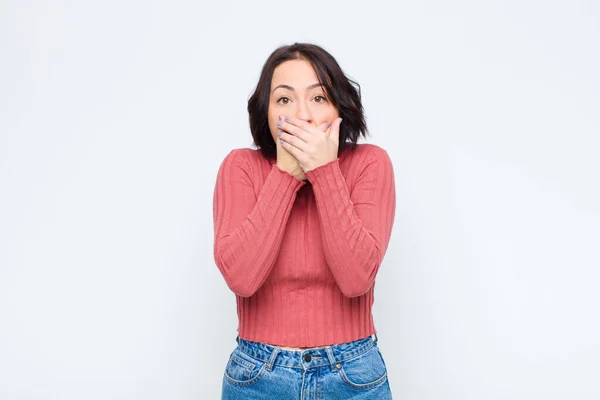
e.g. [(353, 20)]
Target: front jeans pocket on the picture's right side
[(364, 371)]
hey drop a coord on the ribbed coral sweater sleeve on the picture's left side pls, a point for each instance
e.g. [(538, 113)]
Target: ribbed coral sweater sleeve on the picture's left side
[(248, 229)]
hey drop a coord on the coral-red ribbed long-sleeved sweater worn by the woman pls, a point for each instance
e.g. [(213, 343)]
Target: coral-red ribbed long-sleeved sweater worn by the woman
[(302, 256)]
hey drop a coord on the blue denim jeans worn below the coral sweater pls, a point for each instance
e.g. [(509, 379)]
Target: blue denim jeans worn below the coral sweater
[(353, 370)]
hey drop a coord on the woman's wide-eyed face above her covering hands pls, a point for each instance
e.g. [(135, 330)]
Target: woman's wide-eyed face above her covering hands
[(295, 92)]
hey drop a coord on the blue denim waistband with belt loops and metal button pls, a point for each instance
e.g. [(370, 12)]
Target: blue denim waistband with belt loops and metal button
[(306, 358)]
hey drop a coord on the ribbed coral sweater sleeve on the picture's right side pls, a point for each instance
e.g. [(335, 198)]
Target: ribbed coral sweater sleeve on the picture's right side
[(355, 227)]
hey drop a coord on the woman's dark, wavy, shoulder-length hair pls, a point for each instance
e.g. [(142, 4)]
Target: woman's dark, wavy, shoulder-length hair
[(338, 87)]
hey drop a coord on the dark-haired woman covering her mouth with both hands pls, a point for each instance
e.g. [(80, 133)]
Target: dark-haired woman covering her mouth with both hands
[(301, 228)]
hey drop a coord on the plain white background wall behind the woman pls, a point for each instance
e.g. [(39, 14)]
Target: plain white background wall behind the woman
[(115, 116)]
